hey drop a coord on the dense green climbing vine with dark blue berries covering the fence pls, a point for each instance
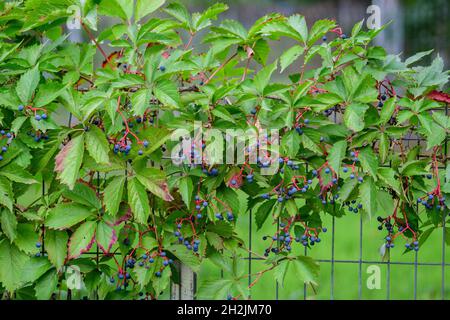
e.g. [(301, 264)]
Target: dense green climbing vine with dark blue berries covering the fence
[(98, 200)]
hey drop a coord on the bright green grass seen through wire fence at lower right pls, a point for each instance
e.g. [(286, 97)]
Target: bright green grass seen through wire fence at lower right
[(347, 228)]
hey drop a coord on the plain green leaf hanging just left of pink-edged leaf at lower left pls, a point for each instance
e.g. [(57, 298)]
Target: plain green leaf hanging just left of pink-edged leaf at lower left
[(56, 247)]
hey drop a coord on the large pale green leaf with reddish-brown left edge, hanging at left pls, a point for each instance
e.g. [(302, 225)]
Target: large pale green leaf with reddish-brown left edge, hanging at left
[(68, 161)]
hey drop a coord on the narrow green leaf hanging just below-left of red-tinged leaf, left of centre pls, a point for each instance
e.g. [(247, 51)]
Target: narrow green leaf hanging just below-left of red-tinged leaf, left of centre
[(138, 199)]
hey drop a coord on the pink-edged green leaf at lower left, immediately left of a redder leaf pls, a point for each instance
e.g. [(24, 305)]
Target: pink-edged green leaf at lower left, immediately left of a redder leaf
[(82, 239)]
